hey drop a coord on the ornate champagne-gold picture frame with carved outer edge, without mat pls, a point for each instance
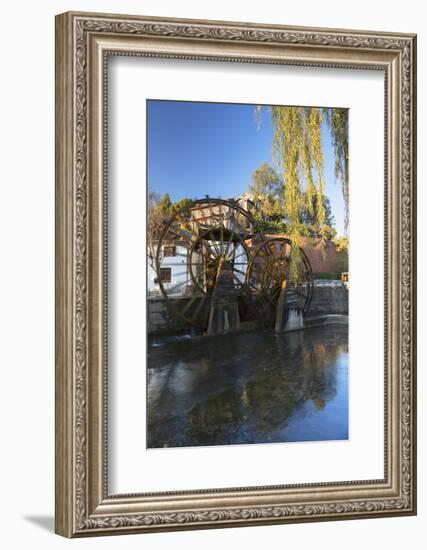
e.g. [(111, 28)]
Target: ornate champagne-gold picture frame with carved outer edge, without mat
[(84, 42)]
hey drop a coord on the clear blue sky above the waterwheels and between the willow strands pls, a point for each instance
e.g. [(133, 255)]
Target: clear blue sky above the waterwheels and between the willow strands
[(197, 149)]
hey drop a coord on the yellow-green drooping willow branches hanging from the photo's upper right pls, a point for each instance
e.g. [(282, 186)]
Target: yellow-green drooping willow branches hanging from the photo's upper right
[(297, 148)]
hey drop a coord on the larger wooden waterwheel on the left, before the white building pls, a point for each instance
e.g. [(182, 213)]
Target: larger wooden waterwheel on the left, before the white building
[(210, 238)]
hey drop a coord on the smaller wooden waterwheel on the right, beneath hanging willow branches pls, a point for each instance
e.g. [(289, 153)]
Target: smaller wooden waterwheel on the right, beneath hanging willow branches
[(269, 270)]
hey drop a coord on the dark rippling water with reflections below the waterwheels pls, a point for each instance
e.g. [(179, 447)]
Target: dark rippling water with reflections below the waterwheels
[(253, 387)]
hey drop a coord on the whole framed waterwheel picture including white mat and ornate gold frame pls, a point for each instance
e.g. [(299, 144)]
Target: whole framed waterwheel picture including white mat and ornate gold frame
[(235, 274)]
